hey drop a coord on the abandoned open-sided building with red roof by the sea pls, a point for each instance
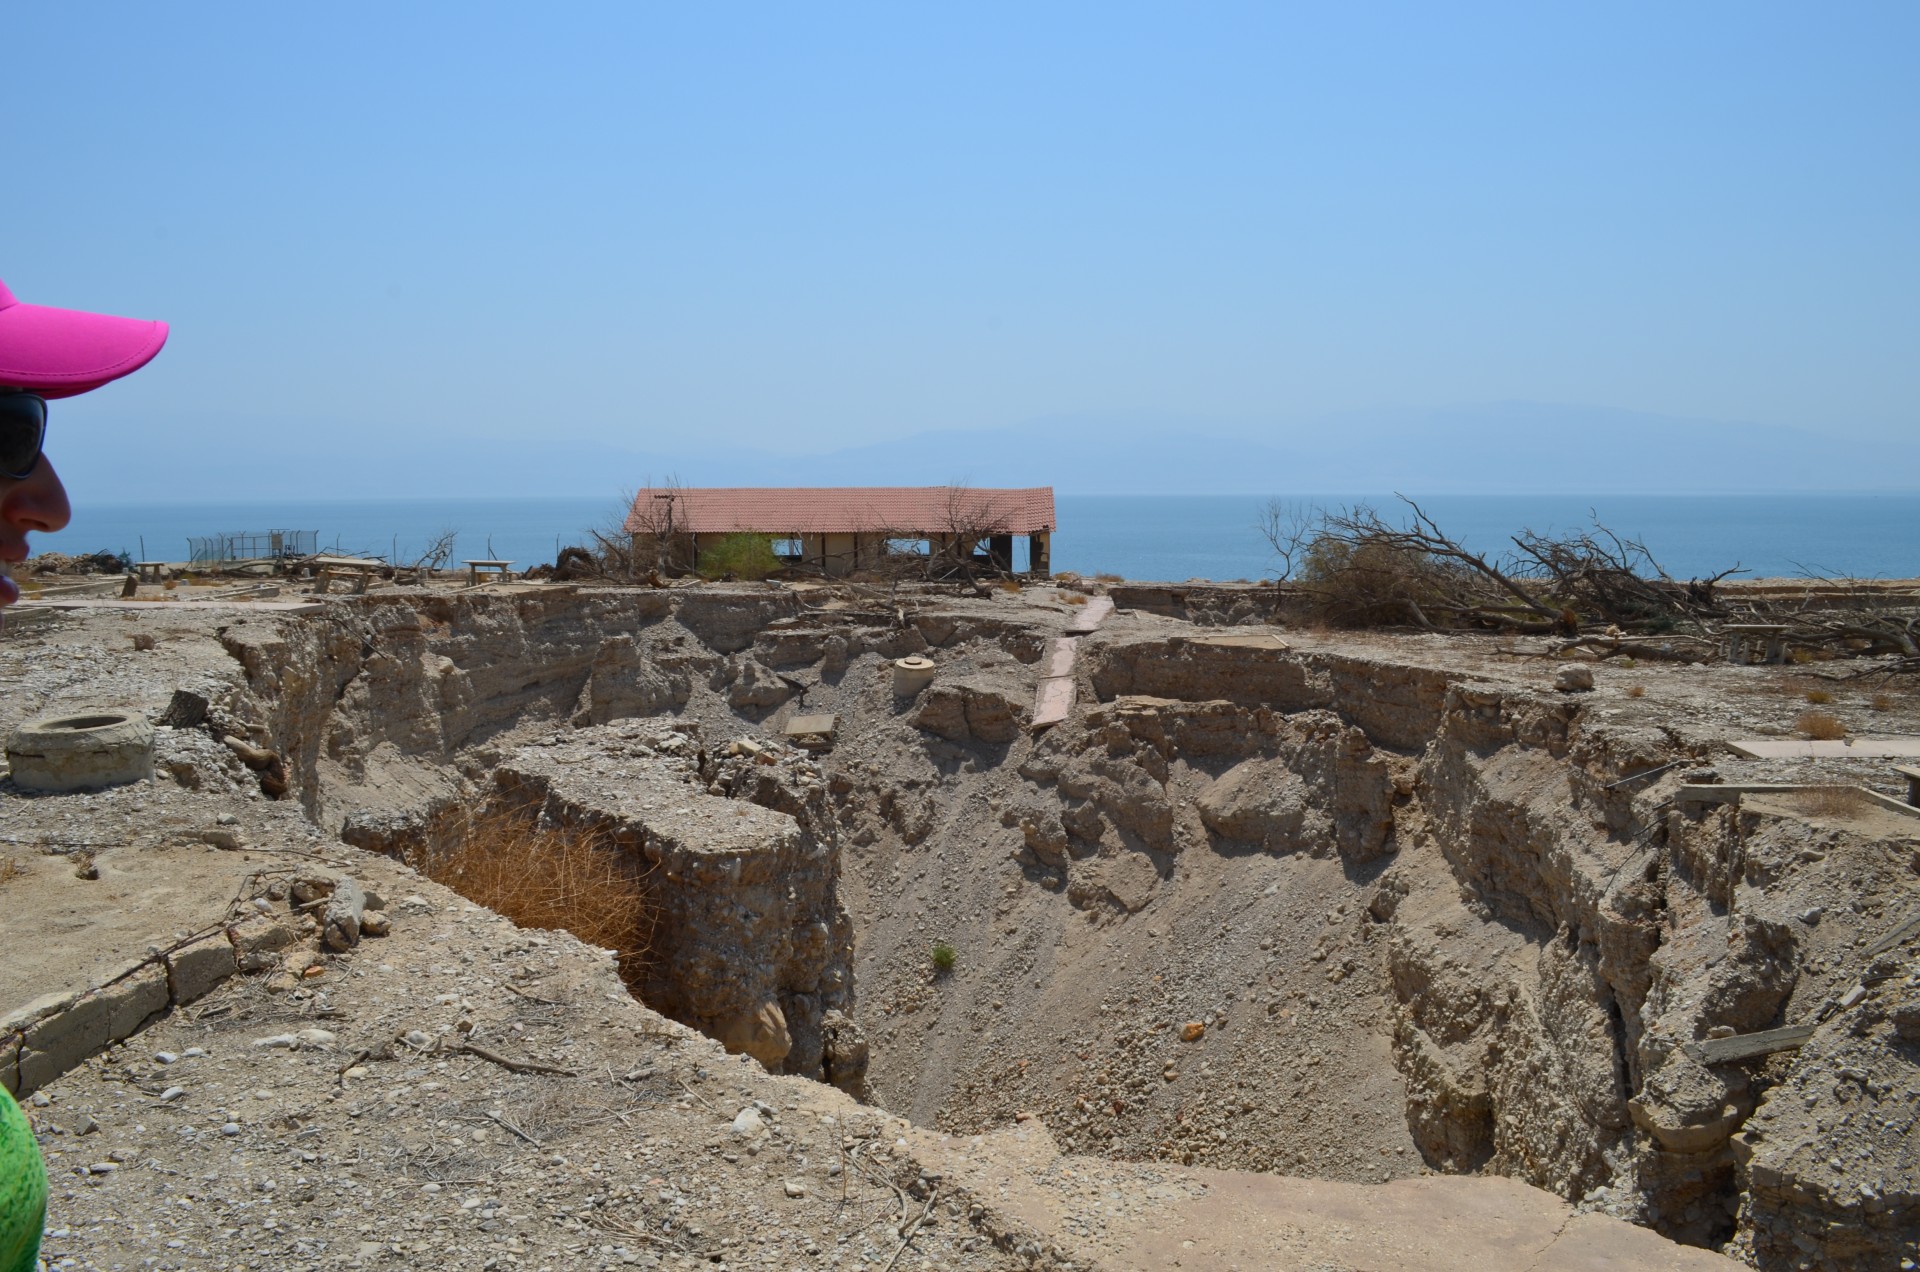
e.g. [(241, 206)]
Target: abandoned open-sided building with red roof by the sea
[(848, 529)]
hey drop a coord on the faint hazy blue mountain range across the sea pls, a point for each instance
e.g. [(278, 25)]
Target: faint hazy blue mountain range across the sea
[(1504, 449)]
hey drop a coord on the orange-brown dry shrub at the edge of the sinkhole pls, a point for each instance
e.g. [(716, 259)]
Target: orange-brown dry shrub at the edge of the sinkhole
[(550, 877)]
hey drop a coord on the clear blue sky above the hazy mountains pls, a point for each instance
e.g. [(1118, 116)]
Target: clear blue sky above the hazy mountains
[(809, 226)]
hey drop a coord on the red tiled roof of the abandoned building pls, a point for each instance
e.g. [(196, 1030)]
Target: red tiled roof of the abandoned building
[(842, 510)]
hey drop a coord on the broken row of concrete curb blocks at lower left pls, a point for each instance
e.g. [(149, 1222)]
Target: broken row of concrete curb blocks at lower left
[(57, 1033)]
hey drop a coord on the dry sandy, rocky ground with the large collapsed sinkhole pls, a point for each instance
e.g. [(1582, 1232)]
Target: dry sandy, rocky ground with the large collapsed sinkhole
[(1335, 952)]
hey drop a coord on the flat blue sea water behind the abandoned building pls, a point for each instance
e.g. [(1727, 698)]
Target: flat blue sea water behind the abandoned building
[(1138, 537)]
